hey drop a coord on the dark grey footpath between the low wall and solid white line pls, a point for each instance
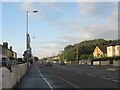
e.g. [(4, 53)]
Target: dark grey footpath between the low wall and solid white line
[(32, 79)]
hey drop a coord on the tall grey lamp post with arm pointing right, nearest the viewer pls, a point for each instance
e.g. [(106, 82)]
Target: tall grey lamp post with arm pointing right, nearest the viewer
[(27, 12)]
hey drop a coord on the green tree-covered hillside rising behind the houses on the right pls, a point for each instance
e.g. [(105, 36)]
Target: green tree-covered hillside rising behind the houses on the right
[(85, 48)]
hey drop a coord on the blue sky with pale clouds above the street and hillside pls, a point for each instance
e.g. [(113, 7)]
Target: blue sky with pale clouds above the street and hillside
[(57, 23)]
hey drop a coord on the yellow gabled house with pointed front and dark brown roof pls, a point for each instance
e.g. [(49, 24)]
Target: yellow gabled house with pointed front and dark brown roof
[(100, 51)]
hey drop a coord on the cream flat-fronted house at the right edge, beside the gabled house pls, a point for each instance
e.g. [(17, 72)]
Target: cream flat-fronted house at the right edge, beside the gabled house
[(113, 49)]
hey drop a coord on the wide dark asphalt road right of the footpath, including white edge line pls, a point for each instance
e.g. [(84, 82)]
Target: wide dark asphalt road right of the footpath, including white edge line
[(78, 77)]
